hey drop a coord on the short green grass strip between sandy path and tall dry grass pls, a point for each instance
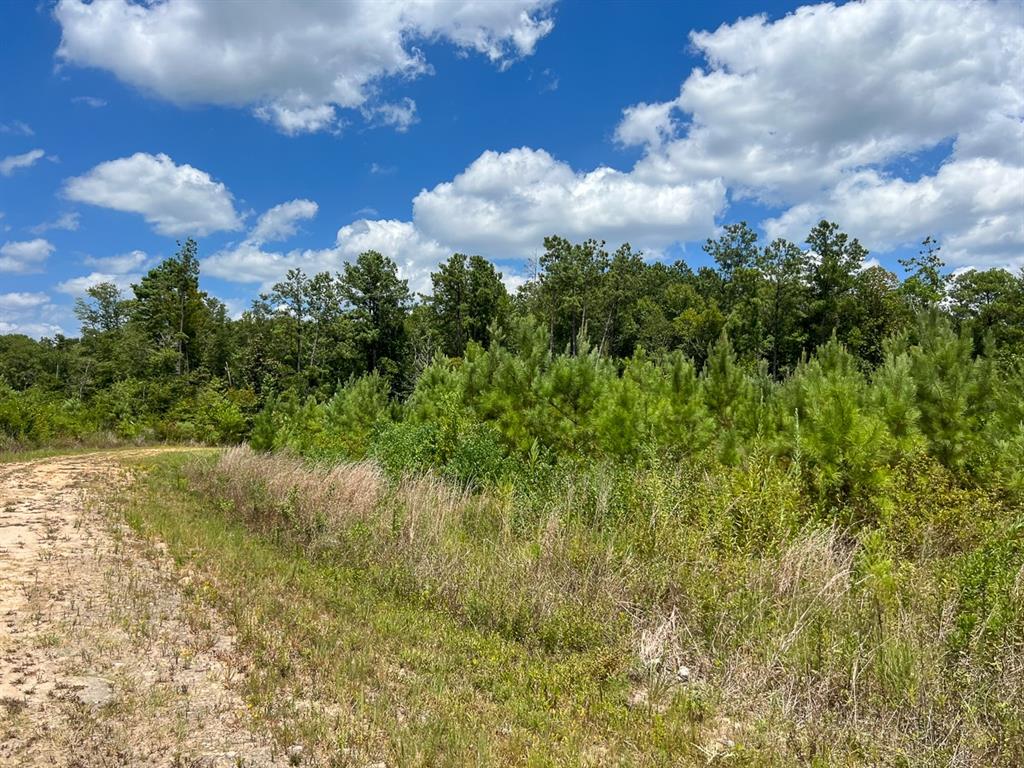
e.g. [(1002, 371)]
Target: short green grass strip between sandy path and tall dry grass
[(357, 676)]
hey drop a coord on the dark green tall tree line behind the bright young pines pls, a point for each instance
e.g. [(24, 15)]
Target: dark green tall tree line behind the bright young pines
[(165, 358)]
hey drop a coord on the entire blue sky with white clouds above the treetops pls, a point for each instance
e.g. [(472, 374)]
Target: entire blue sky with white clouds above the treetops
[(285, 136)]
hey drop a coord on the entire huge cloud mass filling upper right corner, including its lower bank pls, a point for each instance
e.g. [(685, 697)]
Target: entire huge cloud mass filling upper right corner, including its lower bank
[(814, 112)]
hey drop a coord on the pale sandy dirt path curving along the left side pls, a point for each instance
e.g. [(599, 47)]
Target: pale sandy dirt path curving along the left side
[(106, 660)]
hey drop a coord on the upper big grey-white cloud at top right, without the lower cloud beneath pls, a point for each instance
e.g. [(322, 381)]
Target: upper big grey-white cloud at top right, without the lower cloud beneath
[(790, 106)]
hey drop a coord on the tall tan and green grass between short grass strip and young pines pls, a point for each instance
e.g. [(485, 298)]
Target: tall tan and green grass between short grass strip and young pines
[(807, 643)]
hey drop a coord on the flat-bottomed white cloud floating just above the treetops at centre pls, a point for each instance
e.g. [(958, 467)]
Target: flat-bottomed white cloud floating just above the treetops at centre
[(504, 204)]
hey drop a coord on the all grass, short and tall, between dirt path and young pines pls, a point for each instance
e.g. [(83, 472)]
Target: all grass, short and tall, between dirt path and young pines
[(405, 621)]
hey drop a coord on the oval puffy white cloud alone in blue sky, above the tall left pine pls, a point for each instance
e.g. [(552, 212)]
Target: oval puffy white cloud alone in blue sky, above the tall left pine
[(175, 199)]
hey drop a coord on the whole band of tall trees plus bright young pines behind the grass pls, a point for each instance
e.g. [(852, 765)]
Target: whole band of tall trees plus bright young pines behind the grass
[(809, 353)]
